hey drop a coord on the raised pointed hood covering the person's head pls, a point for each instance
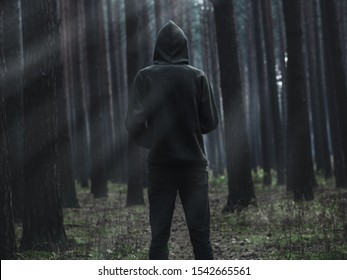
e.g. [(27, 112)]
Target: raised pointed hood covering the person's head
[(171, 45)]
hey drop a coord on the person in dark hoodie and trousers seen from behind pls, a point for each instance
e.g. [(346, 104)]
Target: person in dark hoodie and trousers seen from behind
[(170, 106)]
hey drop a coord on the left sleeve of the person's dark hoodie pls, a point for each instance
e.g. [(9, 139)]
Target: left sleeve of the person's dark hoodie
[(137, 115)]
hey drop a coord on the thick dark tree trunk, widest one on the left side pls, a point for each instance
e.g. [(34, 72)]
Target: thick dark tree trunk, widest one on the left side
[(43, 219)]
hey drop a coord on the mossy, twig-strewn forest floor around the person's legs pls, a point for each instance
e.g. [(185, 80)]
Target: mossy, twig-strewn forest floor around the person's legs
[(277, 228)]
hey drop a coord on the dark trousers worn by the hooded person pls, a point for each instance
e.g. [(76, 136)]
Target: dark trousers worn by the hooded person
[(195, 203)]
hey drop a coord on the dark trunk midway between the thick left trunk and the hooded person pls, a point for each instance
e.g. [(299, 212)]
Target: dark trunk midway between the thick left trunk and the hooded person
[(98, 121)]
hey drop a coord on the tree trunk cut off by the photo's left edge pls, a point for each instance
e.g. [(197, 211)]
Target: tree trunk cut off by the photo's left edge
[(7, 234)]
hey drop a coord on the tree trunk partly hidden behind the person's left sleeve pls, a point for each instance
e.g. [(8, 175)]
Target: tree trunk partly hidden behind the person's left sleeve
[(136, 158)]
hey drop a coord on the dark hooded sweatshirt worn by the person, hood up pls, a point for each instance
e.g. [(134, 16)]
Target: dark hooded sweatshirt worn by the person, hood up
[(171, 105)]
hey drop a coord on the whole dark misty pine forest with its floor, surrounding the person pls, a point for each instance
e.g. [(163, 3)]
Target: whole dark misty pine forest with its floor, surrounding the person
[(73, 184)]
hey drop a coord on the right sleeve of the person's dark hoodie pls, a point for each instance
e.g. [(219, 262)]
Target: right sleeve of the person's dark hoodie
[(208, 116)]
